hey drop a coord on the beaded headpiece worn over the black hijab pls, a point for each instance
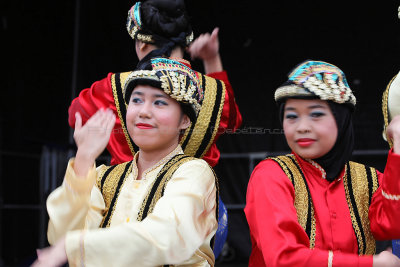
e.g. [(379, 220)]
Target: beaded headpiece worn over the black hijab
[(317, 79)]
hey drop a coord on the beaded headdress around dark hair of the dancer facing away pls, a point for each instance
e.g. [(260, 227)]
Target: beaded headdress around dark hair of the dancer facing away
[(135, 26)]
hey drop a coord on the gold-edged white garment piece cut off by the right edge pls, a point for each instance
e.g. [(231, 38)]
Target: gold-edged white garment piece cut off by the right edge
[(391, 104)]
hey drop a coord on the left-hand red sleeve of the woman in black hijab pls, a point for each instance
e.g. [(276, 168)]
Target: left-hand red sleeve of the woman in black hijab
[(277, 237)]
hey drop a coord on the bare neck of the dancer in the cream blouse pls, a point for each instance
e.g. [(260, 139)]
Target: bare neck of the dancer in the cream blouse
[(148, 158)]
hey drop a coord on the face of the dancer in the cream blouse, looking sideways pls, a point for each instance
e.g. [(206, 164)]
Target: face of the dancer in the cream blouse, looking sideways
[(154, 120)]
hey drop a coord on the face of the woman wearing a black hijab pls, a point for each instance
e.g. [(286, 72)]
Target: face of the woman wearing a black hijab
[(310, 127)]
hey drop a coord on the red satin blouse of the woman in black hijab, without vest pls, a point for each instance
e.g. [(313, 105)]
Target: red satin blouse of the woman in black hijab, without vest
[(279, 240)]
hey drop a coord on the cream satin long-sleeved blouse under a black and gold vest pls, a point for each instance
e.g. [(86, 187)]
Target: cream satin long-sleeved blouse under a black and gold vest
[(177, 232)]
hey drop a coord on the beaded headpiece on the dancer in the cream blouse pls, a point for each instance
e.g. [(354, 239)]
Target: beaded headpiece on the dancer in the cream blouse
[(176, 79)]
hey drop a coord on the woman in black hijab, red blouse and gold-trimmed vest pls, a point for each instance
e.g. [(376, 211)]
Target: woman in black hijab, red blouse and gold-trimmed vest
[(314, 207)]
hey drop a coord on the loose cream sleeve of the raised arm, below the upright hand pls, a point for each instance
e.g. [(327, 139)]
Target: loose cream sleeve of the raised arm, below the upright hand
[(76, 204)]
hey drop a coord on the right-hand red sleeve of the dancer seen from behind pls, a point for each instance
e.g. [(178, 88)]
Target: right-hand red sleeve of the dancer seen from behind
[(231, 118)]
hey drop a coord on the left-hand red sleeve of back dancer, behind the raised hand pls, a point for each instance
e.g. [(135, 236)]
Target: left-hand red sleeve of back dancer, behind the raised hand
[(91, 99)]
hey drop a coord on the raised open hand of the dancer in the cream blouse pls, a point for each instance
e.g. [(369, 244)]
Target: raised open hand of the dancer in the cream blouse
[(92, 138)]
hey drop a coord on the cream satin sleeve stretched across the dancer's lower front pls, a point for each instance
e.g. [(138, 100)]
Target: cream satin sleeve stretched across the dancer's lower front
[(183, 220)]
